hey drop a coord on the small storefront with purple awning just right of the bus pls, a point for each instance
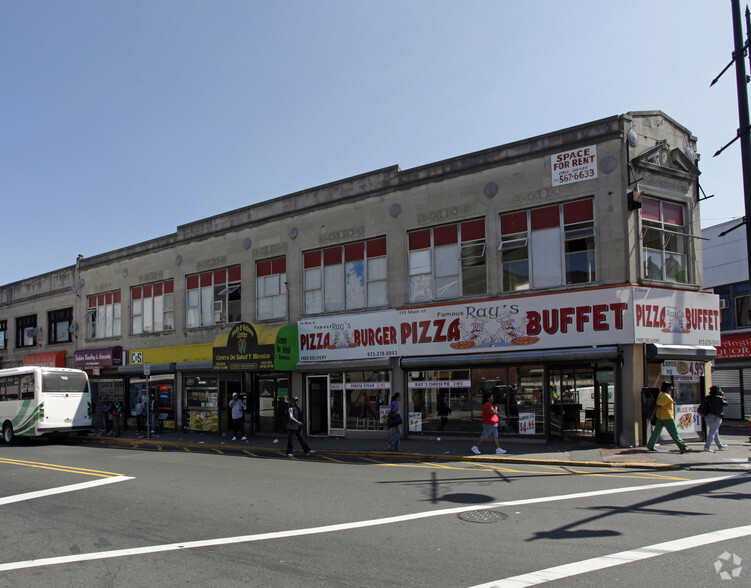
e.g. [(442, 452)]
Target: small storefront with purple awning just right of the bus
[(107, 386)]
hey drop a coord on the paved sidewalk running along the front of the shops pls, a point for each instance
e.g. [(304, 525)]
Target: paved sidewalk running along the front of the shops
[(431, 448)]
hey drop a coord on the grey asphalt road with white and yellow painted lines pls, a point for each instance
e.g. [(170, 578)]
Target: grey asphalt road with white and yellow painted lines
[(95, 516)]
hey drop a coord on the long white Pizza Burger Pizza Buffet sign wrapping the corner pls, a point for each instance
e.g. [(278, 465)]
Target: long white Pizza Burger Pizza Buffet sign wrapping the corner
[(605, 316)]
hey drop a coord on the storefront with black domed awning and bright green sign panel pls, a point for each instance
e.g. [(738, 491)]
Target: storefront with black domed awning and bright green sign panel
[(255, 361)]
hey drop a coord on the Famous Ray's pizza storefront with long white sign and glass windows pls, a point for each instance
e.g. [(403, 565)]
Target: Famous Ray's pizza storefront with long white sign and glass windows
[(566, 365)]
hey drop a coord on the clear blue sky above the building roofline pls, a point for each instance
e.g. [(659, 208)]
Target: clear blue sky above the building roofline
[(122, 120)]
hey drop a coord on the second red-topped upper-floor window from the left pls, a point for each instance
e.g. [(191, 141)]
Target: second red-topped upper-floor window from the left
[(152, 307)]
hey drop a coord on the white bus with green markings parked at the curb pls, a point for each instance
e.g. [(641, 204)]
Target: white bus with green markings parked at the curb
[(36, 401)]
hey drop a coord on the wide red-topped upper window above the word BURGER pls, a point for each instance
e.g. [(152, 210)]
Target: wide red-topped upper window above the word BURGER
[(346, 277)]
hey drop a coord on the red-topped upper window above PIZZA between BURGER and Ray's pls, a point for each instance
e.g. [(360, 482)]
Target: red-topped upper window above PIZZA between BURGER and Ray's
[(447, 261)]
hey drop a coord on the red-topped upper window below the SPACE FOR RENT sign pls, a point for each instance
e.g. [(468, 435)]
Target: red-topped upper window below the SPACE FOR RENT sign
[(547, 247)]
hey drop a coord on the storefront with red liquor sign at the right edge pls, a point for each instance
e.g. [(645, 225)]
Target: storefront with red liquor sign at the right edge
[(732, 372)]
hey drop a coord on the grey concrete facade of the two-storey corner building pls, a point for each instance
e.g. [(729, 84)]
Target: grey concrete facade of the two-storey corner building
[(643, 152)]
